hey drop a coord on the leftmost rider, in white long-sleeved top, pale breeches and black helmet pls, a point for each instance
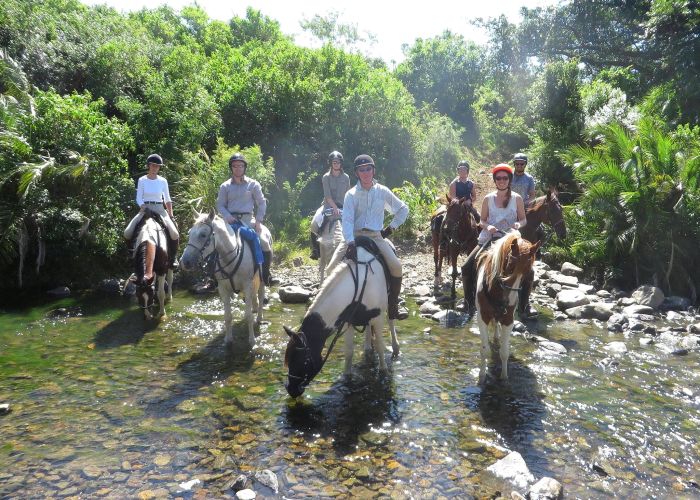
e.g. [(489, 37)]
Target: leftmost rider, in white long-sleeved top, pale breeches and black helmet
[(152, 192)]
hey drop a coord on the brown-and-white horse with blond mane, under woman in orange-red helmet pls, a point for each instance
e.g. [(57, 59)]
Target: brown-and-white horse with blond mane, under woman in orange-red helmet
[(500, 273)]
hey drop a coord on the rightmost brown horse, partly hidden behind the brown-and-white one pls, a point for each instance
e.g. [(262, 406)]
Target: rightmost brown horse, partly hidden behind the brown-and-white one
[(542, 210)]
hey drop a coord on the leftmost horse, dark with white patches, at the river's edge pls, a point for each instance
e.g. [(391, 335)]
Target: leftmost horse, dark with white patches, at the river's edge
[(151, 250)]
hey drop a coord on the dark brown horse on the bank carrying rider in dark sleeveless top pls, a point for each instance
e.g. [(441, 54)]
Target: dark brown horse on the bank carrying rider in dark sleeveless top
[(456, 234)]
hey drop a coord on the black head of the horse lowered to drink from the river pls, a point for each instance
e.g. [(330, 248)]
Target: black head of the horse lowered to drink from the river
[(302, 361)]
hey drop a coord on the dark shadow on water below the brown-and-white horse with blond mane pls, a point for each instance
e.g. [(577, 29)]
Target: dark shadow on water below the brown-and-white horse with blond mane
[(514, 409)]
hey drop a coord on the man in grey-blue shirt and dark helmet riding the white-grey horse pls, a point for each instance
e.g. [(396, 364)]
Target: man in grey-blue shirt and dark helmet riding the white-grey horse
[(238, 197)]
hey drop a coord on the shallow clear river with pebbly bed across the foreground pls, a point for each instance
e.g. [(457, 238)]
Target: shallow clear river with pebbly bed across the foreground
[(104, 405)]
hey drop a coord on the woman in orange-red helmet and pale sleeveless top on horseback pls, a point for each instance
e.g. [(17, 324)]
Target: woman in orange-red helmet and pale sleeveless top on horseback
[(501, 211)]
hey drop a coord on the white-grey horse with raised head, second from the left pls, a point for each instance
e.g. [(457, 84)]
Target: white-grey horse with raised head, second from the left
[(235, 268)]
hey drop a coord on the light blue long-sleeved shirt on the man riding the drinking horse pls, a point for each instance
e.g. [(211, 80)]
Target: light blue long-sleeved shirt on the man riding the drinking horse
[(364, 209)]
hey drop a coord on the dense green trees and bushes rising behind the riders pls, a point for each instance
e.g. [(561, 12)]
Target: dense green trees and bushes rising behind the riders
[(603, 98)]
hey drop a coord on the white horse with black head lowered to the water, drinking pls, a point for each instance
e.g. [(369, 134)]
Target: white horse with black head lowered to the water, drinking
[(354, 295)]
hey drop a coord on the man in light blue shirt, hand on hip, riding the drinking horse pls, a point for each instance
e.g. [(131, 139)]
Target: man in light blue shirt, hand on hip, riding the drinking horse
[(363, 215)]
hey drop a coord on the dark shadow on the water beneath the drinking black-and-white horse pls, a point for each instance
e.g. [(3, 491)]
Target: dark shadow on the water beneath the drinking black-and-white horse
[(348, 409)]
